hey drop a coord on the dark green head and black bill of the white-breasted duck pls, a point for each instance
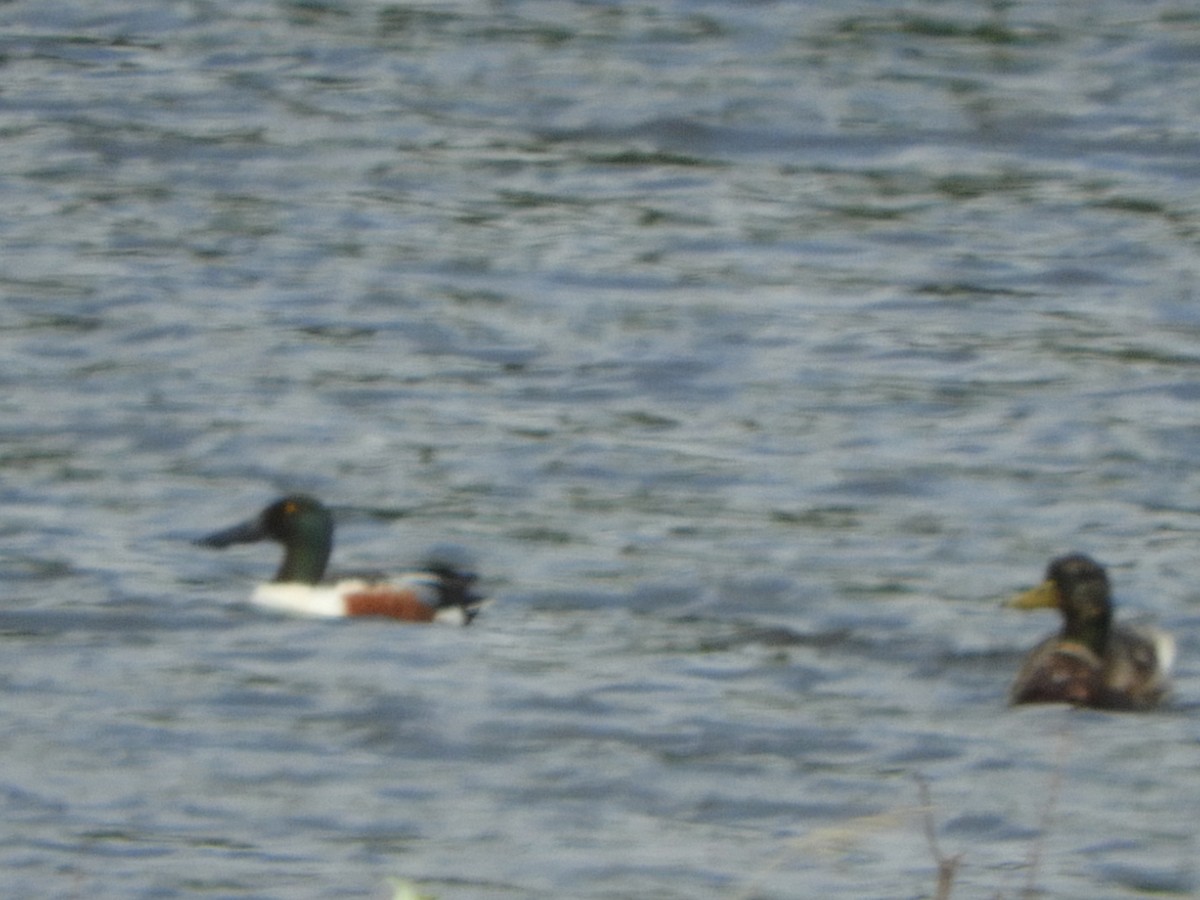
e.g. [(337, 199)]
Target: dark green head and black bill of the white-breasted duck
[(302, 524)]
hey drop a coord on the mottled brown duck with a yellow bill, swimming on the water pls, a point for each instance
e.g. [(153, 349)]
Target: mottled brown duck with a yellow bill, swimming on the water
[(1091, 663)]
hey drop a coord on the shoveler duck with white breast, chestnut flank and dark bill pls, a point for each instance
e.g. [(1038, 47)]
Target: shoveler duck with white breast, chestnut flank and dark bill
[(305, 529)]
